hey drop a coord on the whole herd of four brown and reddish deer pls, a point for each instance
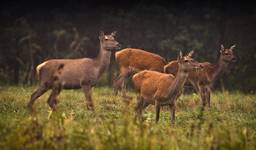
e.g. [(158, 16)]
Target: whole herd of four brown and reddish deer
[(156, 81)]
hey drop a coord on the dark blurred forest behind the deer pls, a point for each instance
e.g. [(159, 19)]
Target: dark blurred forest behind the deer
[(32, 32)]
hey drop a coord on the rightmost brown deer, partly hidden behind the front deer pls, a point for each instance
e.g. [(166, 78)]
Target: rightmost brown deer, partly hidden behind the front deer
[(203, 81)]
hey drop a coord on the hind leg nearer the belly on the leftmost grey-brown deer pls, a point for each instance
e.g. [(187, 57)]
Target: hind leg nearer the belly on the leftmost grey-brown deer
[(52, 100)]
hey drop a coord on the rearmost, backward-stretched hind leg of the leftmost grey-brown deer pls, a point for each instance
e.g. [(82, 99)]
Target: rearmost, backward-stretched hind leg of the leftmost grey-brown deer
[(36, 94)]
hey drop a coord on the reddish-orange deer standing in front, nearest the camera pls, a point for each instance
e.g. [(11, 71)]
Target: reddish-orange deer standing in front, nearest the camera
[(161, 89)]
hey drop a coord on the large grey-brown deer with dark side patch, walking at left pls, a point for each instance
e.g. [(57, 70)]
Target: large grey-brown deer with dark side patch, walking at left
[(80, 73)]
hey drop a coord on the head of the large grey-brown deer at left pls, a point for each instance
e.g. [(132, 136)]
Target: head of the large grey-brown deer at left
[(108, 42)]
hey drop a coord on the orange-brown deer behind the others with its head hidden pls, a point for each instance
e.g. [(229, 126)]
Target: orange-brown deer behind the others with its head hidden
[(132, 60)]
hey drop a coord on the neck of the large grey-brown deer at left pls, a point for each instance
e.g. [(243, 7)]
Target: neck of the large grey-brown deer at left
[(103, 59)]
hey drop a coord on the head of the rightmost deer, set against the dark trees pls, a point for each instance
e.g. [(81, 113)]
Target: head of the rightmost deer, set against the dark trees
[(227, 55)]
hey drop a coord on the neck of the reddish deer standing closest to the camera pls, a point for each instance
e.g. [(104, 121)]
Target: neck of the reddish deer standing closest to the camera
[(178, 84)]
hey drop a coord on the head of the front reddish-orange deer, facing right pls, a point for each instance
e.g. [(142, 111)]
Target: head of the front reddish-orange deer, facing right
[(187, 63)]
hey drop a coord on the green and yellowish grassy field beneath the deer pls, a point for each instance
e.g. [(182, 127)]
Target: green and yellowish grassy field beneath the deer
[(229, 124)]
